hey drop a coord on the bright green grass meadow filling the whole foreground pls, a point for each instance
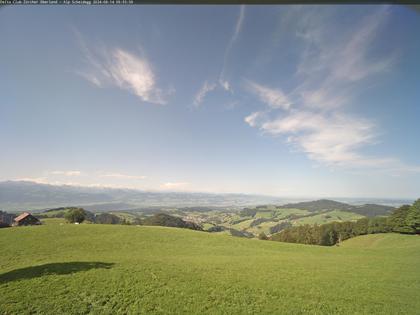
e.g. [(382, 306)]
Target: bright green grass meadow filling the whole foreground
[(106, 269)]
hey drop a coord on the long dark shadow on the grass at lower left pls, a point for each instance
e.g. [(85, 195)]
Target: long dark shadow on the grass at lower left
[(52, 269)]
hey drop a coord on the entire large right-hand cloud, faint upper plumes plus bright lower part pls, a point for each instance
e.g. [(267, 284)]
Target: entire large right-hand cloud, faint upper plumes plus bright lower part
[(330, 72)]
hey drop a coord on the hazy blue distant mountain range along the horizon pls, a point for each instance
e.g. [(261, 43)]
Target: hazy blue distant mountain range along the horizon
[(24, 195)]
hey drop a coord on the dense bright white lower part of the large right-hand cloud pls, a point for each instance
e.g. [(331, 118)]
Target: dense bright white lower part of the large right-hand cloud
[(334, 139)]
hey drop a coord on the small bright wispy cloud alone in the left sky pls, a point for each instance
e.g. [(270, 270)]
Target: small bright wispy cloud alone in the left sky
[(123, 69)]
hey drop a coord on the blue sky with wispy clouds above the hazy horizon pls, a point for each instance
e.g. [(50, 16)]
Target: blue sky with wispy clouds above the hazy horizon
[(295, 101)]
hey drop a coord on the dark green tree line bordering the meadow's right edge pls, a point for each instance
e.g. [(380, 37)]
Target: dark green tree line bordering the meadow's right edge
[(405, 219)]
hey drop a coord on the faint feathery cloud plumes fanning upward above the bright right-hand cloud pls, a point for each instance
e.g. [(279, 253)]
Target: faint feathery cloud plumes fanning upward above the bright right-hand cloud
[(332, 64)]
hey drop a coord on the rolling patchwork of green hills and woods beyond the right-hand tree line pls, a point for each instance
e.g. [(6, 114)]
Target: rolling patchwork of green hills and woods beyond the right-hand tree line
[(270, 219)]
